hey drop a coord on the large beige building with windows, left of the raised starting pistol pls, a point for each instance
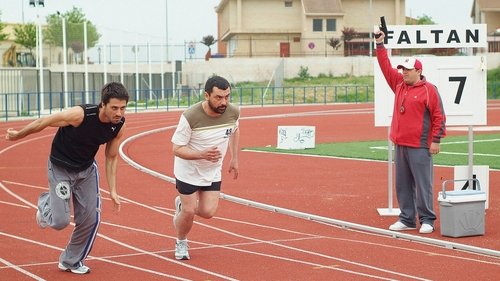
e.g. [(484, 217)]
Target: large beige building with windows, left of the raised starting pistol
[(292, 28)]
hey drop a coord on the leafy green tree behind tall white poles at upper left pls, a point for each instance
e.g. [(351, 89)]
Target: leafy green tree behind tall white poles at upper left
[(75, 19)]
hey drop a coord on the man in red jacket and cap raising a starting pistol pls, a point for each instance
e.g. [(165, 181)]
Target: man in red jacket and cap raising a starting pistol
[(418, 124)]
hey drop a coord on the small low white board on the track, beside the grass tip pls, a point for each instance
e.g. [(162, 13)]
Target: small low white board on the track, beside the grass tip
[(296, 137)]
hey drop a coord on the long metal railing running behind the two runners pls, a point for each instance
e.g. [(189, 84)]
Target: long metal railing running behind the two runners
[(29, 105)]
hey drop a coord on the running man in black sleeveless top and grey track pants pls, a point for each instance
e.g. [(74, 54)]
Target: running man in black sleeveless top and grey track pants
[(73, 172)]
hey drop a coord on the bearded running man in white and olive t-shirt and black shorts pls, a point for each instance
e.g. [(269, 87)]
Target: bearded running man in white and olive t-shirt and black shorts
[(200, 142)]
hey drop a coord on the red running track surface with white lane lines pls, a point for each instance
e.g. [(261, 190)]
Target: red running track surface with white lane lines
[(241, 242)]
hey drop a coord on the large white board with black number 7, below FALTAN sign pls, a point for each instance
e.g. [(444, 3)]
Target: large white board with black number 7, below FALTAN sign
[(461, 83)]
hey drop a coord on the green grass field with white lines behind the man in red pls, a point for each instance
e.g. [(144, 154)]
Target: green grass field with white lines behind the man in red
[(454, 150)]
